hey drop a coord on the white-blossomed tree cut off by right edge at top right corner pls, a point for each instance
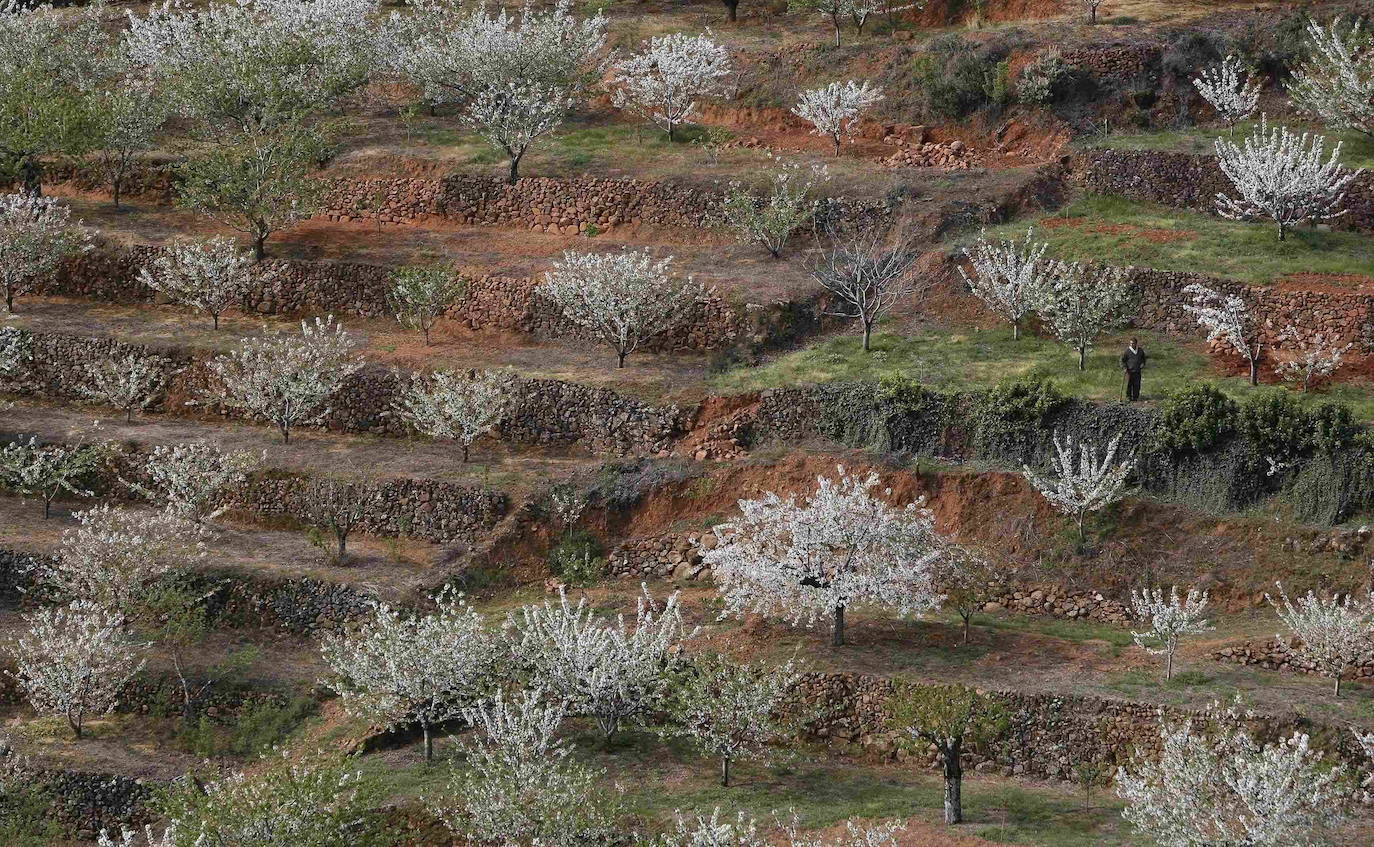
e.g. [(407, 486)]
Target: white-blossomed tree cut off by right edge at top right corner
[(1335, 83)]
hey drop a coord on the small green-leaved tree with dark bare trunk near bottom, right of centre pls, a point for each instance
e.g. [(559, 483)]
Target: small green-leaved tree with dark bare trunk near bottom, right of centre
[(946, 717)]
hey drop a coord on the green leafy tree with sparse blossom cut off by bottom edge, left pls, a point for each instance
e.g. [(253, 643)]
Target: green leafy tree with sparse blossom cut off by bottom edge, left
[(310, 800)]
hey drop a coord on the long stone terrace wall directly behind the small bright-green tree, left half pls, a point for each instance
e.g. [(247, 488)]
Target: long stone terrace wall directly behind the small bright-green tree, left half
[(311, 288)]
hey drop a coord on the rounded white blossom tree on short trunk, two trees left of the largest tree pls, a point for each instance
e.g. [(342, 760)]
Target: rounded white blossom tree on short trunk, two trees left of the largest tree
[(398, 669)]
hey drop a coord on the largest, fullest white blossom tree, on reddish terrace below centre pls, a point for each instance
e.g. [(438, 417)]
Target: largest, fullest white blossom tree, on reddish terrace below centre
[(815, 559)]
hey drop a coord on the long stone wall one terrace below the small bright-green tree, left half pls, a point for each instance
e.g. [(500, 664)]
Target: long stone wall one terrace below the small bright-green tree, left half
[(539, 412)]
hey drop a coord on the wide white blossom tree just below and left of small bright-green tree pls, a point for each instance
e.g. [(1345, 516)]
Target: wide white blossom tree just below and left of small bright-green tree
[(286, 380)]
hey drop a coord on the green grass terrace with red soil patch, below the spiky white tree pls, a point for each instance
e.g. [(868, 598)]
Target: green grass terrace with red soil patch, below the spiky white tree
[(1120, 232)]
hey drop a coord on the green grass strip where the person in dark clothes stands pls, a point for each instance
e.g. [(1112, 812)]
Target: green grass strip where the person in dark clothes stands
[(971, 360)]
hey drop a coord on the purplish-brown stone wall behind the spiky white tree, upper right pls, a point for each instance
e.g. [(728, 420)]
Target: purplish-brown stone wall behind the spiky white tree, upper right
[(1189, 181)]
